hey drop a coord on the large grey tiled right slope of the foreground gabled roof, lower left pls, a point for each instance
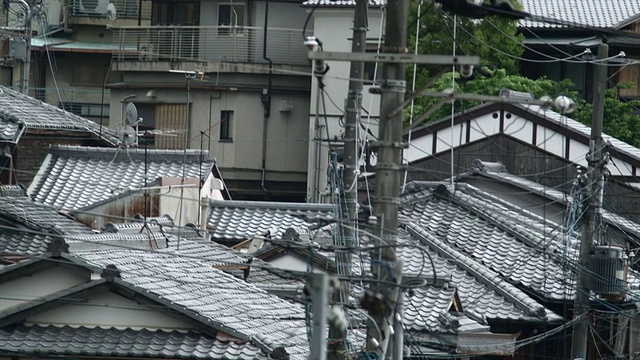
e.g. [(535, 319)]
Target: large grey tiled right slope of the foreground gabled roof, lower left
[(222, 300)]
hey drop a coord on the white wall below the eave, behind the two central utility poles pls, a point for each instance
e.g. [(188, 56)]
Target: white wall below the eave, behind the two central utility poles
[(334, 28)]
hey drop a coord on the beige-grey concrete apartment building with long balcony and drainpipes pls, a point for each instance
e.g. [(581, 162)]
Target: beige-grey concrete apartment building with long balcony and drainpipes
[(248, 103)]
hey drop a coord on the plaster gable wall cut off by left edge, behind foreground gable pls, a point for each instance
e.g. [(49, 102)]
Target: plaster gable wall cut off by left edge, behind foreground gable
[(46, 282)]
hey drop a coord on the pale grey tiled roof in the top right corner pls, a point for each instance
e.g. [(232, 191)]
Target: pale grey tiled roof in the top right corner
[(593, 13)]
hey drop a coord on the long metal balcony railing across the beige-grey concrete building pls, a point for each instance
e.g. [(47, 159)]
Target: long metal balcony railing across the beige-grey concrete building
[(209, 43)]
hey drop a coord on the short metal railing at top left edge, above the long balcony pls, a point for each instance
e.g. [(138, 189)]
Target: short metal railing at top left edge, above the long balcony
[(125, 9)]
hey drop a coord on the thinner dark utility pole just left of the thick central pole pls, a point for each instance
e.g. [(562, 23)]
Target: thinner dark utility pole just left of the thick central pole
[(348, 205)]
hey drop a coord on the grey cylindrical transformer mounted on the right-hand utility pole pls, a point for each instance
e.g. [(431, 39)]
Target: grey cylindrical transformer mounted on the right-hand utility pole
[(609, 271)]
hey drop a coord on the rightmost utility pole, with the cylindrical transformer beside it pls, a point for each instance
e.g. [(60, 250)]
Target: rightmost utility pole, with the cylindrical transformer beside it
[(595, 184)]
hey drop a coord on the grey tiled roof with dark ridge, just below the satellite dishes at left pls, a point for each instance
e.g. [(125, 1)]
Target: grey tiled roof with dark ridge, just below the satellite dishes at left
[(75, 177)]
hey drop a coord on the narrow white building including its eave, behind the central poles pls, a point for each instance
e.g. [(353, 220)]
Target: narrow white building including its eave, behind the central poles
[(333, 23)]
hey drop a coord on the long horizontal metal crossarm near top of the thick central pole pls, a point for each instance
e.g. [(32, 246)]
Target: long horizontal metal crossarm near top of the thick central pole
[(394, 58)]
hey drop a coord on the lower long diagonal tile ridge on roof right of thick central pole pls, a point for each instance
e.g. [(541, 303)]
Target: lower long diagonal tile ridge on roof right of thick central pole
[(503, 287)]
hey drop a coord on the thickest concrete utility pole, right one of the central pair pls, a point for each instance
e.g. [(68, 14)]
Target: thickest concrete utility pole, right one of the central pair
[(389, 171)]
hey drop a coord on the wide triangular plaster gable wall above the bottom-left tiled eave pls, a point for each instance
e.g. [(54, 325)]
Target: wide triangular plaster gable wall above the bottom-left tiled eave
[(108, 310)]
